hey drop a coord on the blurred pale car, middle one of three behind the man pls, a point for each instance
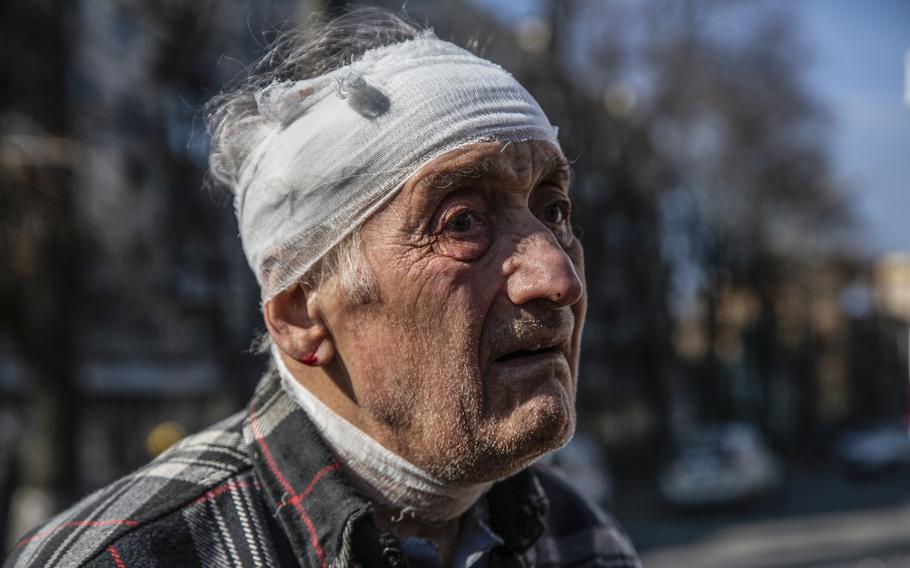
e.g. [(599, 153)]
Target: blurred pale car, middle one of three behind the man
[(718, 465)]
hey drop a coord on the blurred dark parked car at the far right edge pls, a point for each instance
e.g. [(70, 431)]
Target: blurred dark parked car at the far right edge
[(875, 447)]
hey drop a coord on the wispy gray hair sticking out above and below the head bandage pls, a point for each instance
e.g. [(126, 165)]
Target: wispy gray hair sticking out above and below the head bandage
[(236, 125)]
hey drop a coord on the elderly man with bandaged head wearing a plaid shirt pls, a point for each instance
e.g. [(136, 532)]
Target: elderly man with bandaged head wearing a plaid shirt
[(405, 207)]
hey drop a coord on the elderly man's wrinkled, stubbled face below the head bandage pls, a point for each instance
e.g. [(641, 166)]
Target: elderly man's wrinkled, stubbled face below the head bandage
[(466, 362)]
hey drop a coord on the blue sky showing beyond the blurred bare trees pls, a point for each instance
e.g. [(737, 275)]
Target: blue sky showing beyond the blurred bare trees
[(858, 51)]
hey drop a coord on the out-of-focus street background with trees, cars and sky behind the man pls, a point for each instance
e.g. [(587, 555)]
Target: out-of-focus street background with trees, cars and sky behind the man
[(742, 191)]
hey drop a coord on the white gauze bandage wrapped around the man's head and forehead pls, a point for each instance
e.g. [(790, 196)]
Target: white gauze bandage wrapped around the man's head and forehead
[(343, 143)]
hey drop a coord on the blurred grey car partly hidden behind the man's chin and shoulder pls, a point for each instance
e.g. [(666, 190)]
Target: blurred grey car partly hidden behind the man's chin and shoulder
[(583, 463)]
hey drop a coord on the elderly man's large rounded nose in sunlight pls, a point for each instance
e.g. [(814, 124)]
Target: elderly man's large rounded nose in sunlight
[(540, 269)]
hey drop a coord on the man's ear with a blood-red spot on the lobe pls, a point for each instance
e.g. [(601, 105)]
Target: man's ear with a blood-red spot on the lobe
[(296, 325)]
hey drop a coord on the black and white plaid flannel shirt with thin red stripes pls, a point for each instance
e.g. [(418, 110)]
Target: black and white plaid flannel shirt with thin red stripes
[(261, 488)]
